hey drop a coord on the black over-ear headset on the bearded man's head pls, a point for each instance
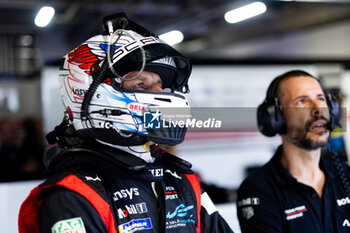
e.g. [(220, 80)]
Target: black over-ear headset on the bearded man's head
[(270, 116)]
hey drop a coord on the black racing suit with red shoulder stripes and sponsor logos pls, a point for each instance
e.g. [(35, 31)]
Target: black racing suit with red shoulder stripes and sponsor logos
[(115, 191)]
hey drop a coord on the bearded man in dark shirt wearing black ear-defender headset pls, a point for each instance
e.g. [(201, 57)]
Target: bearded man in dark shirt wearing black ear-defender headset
[(297, 190)]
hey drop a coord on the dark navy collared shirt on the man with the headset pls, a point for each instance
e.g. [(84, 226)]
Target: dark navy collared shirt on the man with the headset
[(273, 201)]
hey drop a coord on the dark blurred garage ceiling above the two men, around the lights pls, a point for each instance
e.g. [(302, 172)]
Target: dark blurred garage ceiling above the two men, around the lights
[(201, 21)]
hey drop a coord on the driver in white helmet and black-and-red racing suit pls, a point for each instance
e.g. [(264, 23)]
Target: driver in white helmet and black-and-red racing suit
[(108, 173)]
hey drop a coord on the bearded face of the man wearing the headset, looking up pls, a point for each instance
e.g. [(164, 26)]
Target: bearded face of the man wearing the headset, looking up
[(306, 112)]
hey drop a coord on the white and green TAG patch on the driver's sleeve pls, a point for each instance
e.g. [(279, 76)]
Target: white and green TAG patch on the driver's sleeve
[(75, 225)]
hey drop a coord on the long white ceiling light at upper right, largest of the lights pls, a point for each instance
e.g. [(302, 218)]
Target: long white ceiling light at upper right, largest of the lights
[(245, 12)]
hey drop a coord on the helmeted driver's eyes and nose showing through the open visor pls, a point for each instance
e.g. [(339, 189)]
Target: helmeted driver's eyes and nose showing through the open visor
[(146, 81)]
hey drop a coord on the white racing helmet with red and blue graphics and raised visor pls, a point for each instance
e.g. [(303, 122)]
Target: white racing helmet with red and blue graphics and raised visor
[(91, 85)]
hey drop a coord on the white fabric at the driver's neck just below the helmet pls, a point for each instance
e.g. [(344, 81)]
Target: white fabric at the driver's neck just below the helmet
[(141, 151)]
